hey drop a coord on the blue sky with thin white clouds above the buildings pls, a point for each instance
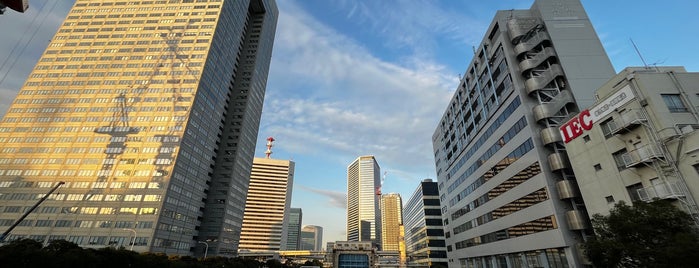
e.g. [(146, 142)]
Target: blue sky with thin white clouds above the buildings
[(351, 78)]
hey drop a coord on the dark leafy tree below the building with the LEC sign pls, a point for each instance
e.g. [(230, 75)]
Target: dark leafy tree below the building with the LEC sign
[(654, 234)]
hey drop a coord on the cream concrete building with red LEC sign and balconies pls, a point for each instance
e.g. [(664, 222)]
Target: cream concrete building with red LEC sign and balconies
[(638, 142)]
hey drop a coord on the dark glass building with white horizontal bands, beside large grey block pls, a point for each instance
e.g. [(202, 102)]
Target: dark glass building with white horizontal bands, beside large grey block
[(424, 236)]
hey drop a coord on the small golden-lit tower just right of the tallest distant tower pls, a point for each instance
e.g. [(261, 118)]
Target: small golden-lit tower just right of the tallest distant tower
[(391, 221)]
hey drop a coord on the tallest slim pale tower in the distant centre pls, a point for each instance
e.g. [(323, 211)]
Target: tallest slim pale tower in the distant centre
[(363, 214)]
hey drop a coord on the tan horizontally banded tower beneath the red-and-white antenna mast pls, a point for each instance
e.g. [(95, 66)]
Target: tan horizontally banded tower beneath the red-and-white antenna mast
[(266, 219)]
